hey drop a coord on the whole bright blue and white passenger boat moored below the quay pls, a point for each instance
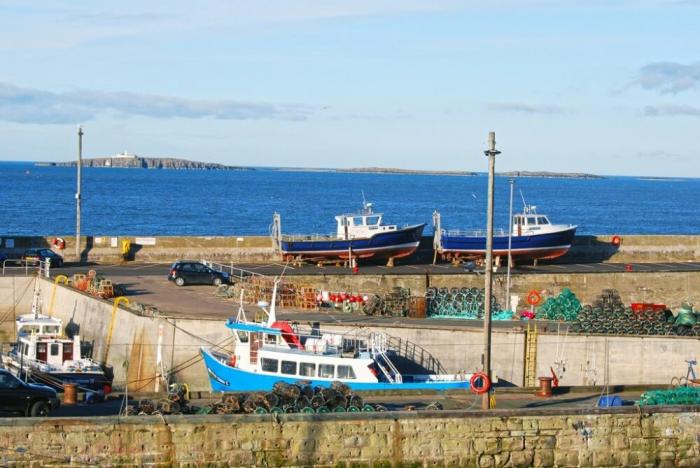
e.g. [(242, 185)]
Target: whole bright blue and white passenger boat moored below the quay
[(270, 351)]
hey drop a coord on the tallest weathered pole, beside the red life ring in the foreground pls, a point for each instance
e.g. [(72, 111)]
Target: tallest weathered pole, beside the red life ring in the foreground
[(491, 154)]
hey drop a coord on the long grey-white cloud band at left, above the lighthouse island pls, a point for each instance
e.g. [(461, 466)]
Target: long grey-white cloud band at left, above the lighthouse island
[(26, 105)]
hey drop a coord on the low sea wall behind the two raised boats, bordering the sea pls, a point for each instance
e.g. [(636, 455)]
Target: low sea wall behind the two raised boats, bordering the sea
[(241, 249)]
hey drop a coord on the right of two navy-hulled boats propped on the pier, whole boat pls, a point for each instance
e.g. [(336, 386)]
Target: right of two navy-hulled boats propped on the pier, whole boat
[(533, 237)]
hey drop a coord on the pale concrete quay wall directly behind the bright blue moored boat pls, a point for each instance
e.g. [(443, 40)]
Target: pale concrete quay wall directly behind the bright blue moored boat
[(579, 360)]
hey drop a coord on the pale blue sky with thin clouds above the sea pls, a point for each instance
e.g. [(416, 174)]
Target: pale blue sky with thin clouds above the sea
[(603, 87)]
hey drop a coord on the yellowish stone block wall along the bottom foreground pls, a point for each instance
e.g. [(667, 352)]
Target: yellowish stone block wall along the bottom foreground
[(617, 437)]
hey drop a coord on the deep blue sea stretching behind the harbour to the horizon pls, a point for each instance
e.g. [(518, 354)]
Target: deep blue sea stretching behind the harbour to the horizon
[(38, 200)]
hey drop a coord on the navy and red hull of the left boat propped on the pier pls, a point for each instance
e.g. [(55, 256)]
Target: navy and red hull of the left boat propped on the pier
[(390, 244)]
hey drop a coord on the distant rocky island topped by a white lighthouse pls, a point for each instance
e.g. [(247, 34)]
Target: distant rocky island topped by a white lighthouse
[(125, 160)]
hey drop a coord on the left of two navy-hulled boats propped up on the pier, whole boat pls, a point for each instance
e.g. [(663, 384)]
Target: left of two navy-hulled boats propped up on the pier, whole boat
[(358, 235)]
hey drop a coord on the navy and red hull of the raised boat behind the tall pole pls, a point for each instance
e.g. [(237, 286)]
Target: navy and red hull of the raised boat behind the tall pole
[(539, 246)]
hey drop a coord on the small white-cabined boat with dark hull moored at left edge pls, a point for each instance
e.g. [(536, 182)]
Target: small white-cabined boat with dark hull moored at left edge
[(42, 354)]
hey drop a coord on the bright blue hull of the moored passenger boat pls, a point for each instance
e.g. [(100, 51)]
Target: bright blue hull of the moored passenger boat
[(224, 378)]
